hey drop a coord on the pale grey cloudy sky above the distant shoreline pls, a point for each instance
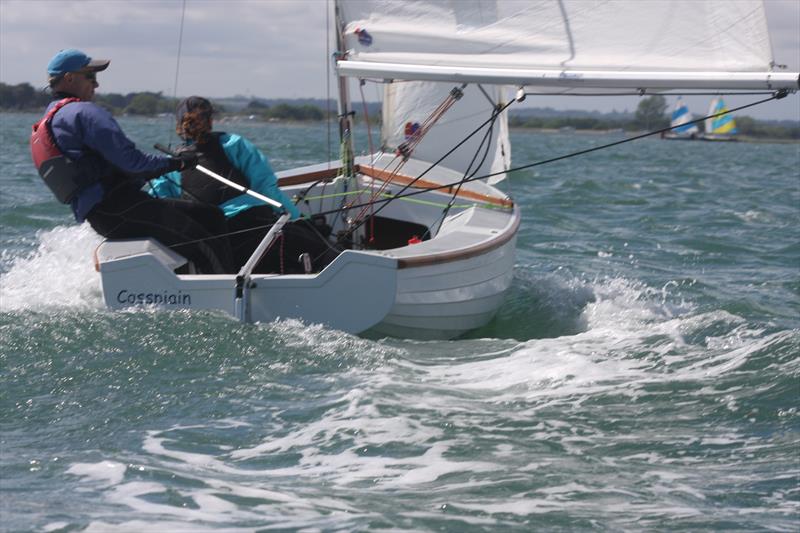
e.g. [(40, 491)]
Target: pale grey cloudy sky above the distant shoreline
[(263, 48)]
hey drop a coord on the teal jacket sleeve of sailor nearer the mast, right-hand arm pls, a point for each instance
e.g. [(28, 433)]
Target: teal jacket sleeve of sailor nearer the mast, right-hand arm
[(248, 159)]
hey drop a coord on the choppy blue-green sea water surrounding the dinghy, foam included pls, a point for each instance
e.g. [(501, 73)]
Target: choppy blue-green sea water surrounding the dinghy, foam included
[(642, 375)]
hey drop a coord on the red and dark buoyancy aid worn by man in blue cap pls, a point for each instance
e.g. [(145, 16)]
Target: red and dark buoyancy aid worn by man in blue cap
[(63, 176)]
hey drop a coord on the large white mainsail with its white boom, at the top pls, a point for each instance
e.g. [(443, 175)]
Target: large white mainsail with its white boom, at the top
[(578, 44)]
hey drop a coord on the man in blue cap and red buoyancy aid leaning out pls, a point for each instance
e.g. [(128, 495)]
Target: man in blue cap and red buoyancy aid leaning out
[(88, 162)]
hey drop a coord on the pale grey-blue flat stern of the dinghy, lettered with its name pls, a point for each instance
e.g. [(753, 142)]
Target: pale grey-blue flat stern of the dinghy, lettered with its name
[(139, 277)]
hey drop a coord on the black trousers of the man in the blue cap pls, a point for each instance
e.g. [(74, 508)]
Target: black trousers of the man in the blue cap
[(196, 231)]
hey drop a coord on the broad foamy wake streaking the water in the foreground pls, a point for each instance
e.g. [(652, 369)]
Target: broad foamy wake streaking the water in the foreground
[(350, 433)]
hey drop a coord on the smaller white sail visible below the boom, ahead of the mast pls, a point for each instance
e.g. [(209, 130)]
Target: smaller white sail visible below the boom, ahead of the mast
[(407, 105)]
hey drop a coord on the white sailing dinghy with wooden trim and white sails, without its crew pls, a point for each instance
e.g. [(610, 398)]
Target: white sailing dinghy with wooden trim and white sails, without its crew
[(431, 247)]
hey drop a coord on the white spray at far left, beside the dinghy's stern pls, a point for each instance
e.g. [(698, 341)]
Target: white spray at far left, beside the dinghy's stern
[(58, 274)]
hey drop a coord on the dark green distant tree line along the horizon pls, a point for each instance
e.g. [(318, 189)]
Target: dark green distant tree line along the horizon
[(651, 114)]
